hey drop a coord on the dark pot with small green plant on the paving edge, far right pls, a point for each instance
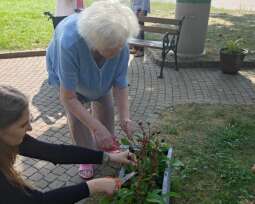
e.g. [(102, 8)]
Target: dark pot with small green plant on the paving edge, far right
[(232, 56)]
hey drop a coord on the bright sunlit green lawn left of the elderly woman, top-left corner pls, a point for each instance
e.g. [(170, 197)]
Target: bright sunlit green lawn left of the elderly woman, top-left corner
[(23, 25)]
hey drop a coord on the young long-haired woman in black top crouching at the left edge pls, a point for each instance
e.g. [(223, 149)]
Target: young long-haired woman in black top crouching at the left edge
[(14, 125)]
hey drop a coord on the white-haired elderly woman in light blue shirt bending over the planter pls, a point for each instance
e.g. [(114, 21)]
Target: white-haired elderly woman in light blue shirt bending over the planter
[(88, 60)]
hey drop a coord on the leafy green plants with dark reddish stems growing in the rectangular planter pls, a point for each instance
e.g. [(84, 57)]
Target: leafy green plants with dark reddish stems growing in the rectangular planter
[(146, 186)]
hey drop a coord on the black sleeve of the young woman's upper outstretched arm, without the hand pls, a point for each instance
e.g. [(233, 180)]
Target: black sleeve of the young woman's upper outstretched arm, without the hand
[(59, 154)]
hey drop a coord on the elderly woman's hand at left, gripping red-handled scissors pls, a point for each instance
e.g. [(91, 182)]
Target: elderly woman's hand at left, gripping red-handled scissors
[(103, 137)]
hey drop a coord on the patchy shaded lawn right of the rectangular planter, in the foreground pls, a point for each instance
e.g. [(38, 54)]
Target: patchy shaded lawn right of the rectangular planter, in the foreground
[(215, 146)]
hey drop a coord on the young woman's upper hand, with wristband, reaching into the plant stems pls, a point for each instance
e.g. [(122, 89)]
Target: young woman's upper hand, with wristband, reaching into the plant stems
[(123, 158)]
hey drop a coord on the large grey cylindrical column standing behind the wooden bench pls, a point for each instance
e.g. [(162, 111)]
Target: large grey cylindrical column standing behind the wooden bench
[(194, 29)]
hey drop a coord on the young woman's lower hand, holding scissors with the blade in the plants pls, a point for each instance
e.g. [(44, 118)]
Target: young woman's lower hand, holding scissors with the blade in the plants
[(104, 185)]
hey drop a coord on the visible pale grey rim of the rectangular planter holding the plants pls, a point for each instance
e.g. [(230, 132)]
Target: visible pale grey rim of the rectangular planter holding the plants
[(166, 184)]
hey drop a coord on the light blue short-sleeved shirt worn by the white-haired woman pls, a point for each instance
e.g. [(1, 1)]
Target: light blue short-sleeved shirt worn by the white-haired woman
[(70, 64)]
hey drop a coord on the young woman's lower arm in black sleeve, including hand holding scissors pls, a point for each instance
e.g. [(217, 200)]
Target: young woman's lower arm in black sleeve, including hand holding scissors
[(11, 194)]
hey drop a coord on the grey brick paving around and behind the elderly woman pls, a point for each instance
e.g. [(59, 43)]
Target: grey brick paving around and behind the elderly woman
[(148, 96)]
